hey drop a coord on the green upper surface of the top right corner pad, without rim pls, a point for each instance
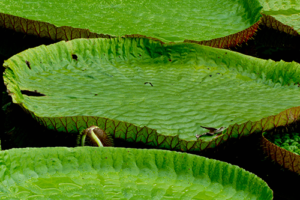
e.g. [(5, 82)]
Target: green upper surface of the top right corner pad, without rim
[(285, 11)]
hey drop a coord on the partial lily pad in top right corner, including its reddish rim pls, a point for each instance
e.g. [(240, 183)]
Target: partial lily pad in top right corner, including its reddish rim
[(282, 15)]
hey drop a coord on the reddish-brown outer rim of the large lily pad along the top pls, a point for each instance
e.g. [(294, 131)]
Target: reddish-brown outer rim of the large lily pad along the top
[(47, 30)]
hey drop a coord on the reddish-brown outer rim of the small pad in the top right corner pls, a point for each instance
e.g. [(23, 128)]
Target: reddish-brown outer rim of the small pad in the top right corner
[(271, 22)]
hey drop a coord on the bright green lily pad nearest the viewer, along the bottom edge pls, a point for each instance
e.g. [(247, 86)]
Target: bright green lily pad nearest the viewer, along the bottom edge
[(100, 173)]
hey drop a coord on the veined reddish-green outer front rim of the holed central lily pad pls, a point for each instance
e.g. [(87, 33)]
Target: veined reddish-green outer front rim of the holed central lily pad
[(148, 136)]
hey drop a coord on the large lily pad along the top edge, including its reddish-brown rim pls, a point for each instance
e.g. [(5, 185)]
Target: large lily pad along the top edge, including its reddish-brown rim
[(168, 21)]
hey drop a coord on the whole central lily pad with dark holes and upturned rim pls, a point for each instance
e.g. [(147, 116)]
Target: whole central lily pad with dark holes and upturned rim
[(143, 91)]
